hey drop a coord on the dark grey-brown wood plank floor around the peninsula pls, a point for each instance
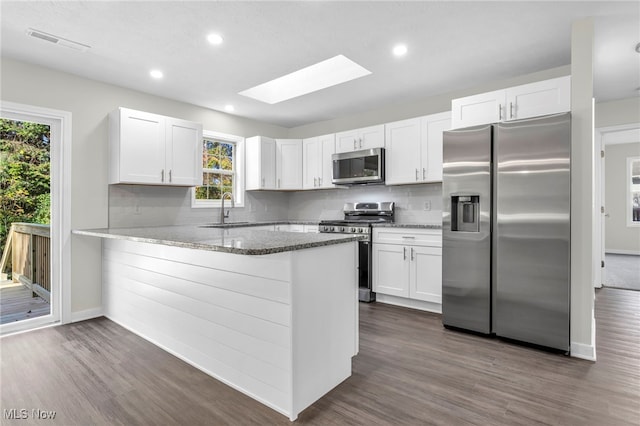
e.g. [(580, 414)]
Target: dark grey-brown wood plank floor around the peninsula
[(410, 371)]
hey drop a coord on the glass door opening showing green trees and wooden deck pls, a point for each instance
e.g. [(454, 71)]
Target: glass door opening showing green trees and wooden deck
[(25, 218)]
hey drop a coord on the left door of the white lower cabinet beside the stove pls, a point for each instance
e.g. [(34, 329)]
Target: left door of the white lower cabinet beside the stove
[(391, 269)]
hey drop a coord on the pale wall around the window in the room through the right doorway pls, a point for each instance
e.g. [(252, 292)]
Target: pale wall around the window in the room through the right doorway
[(619, 238)]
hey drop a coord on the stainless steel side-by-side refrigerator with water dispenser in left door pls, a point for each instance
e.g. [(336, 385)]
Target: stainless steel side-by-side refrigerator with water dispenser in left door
[(506, 229)]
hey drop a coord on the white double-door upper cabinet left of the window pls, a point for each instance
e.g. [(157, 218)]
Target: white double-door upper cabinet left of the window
[(153, 149)]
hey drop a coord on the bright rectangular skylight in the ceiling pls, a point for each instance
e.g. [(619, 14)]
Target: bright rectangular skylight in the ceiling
[(331, 72)]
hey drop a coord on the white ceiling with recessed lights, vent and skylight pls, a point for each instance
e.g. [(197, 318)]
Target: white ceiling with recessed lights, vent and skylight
[(452, 45)]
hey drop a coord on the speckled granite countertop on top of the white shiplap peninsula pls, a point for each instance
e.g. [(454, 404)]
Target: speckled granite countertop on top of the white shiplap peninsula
[(230, 238)]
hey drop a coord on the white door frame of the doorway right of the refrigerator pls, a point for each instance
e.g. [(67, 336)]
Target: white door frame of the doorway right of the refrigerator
[(625, 133)]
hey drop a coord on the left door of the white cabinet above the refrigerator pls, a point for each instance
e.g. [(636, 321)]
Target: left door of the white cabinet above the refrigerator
[(473, 110)]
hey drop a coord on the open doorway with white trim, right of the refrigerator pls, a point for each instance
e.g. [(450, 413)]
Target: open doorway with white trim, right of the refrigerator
[(618, 176)]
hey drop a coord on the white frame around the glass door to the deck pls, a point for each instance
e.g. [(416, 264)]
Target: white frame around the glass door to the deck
[(60, 154)]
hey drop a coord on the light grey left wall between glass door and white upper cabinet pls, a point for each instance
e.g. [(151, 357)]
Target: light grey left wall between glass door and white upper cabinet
[(90, 102)]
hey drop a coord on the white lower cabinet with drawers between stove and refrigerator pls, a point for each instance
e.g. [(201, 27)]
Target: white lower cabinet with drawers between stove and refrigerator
[(408, 263)]
